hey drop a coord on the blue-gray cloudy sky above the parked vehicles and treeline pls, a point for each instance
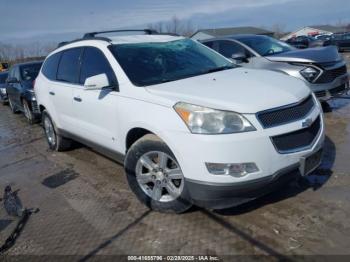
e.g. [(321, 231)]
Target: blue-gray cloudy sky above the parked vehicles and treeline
[(62, 19)]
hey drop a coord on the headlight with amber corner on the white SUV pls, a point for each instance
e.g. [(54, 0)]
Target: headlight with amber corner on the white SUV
[(202, 120)]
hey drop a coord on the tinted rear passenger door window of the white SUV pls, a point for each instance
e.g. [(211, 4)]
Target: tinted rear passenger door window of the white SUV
[(68, 69)]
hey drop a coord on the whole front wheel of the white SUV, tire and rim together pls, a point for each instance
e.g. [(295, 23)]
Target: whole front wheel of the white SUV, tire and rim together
[(151, 187)]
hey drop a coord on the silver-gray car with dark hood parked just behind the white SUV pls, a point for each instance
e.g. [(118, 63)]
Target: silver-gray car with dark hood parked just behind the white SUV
[(322, 69)]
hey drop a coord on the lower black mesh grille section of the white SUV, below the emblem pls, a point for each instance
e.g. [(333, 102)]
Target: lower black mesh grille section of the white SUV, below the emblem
[(297, 140)]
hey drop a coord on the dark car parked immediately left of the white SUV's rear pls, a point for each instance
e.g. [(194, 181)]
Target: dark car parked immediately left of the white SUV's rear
[(19, 88)]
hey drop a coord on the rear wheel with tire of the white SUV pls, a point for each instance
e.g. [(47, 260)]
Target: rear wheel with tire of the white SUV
[(55, 141)]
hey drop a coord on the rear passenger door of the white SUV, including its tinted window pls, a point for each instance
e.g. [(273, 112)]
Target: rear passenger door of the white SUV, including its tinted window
[(61, 91)]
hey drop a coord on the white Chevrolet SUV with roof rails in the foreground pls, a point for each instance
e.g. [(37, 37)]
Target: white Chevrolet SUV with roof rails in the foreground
[(188, 125)]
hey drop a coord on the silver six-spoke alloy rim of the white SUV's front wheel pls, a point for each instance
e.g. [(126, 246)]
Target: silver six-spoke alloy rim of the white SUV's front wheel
[(159, 176)]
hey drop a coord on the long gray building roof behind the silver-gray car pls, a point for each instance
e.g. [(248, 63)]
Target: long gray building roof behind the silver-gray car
[(235, 30)]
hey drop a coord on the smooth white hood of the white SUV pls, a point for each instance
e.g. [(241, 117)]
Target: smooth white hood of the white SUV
[(241, 90)]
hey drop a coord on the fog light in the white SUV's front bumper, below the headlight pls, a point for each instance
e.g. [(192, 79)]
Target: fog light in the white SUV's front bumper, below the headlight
[(236, 170)]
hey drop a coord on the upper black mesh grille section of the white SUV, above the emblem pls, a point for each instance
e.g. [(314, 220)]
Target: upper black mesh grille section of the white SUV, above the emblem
[(286, 114)]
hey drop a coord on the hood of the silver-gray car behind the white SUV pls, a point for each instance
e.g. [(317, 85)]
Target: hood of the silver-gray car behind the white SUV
[(309, 55)]
